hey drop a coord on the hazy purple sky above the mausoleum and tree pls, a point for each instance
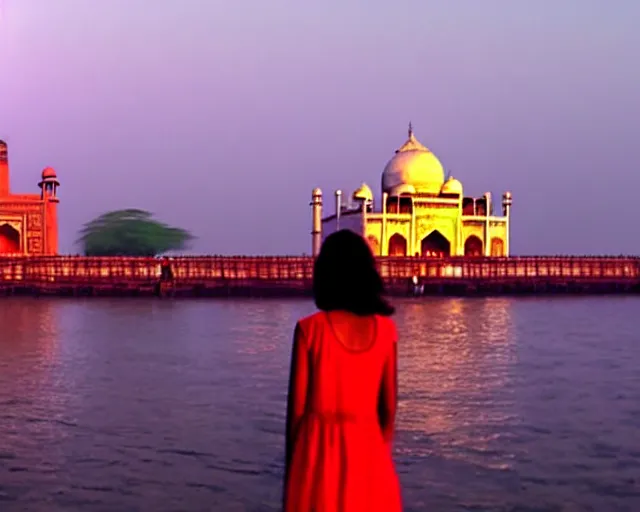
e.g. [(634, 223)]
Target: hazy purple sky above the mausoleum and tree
[(221, 116)]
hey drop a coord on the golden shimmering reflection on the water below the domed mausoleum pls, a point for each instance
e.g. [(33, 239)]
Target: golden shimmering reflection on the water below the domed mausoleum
[(458, 357)]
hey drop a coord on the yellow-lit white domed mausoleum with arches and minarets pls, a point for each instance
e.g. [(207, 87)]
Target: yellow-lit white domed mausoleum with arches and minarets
[(421, 212)]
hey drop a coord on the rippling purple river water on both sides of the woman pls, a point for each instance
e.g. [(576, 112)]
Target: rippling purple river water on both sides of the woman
[(150, 405)]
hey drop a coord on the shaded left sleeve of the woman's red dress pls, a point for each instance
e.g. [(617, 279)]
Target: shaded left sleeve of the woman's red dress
[(297, 397)]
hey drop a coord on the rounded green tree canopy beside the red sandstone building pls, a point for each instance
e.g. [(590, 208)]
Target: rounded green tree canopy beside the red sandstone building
[(130, 232)]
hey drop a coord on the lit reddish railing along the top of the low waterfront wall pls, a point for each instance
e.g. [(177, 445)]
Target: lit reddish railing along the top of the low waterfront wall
[(76, 270)]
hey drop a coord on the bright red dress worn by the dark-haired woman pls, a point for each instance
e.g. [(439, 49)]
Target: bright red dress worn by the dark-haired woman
[(339, 460)]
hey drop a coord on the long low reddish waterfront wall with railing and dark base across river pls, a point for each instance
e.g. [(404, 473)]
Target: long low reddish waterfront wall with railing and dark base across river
[(291, 275)]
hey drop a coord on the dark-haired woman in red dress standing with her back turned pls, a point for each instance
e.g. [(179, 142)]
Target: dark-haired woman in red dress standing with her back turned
[(342, 389)]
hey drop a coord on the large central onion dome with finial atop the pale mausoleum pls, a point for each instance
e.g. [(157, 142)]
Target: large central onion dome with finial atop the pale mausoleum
[(413, 164)]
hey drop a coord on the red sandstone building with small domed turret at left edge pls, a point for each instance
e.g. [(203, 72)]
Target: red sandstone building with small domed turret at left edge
[(28, 222)]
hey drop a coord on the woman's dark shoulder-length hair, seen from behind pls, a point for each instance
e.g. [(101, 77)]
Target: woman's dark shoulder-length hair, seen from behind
[(345, 277)]
